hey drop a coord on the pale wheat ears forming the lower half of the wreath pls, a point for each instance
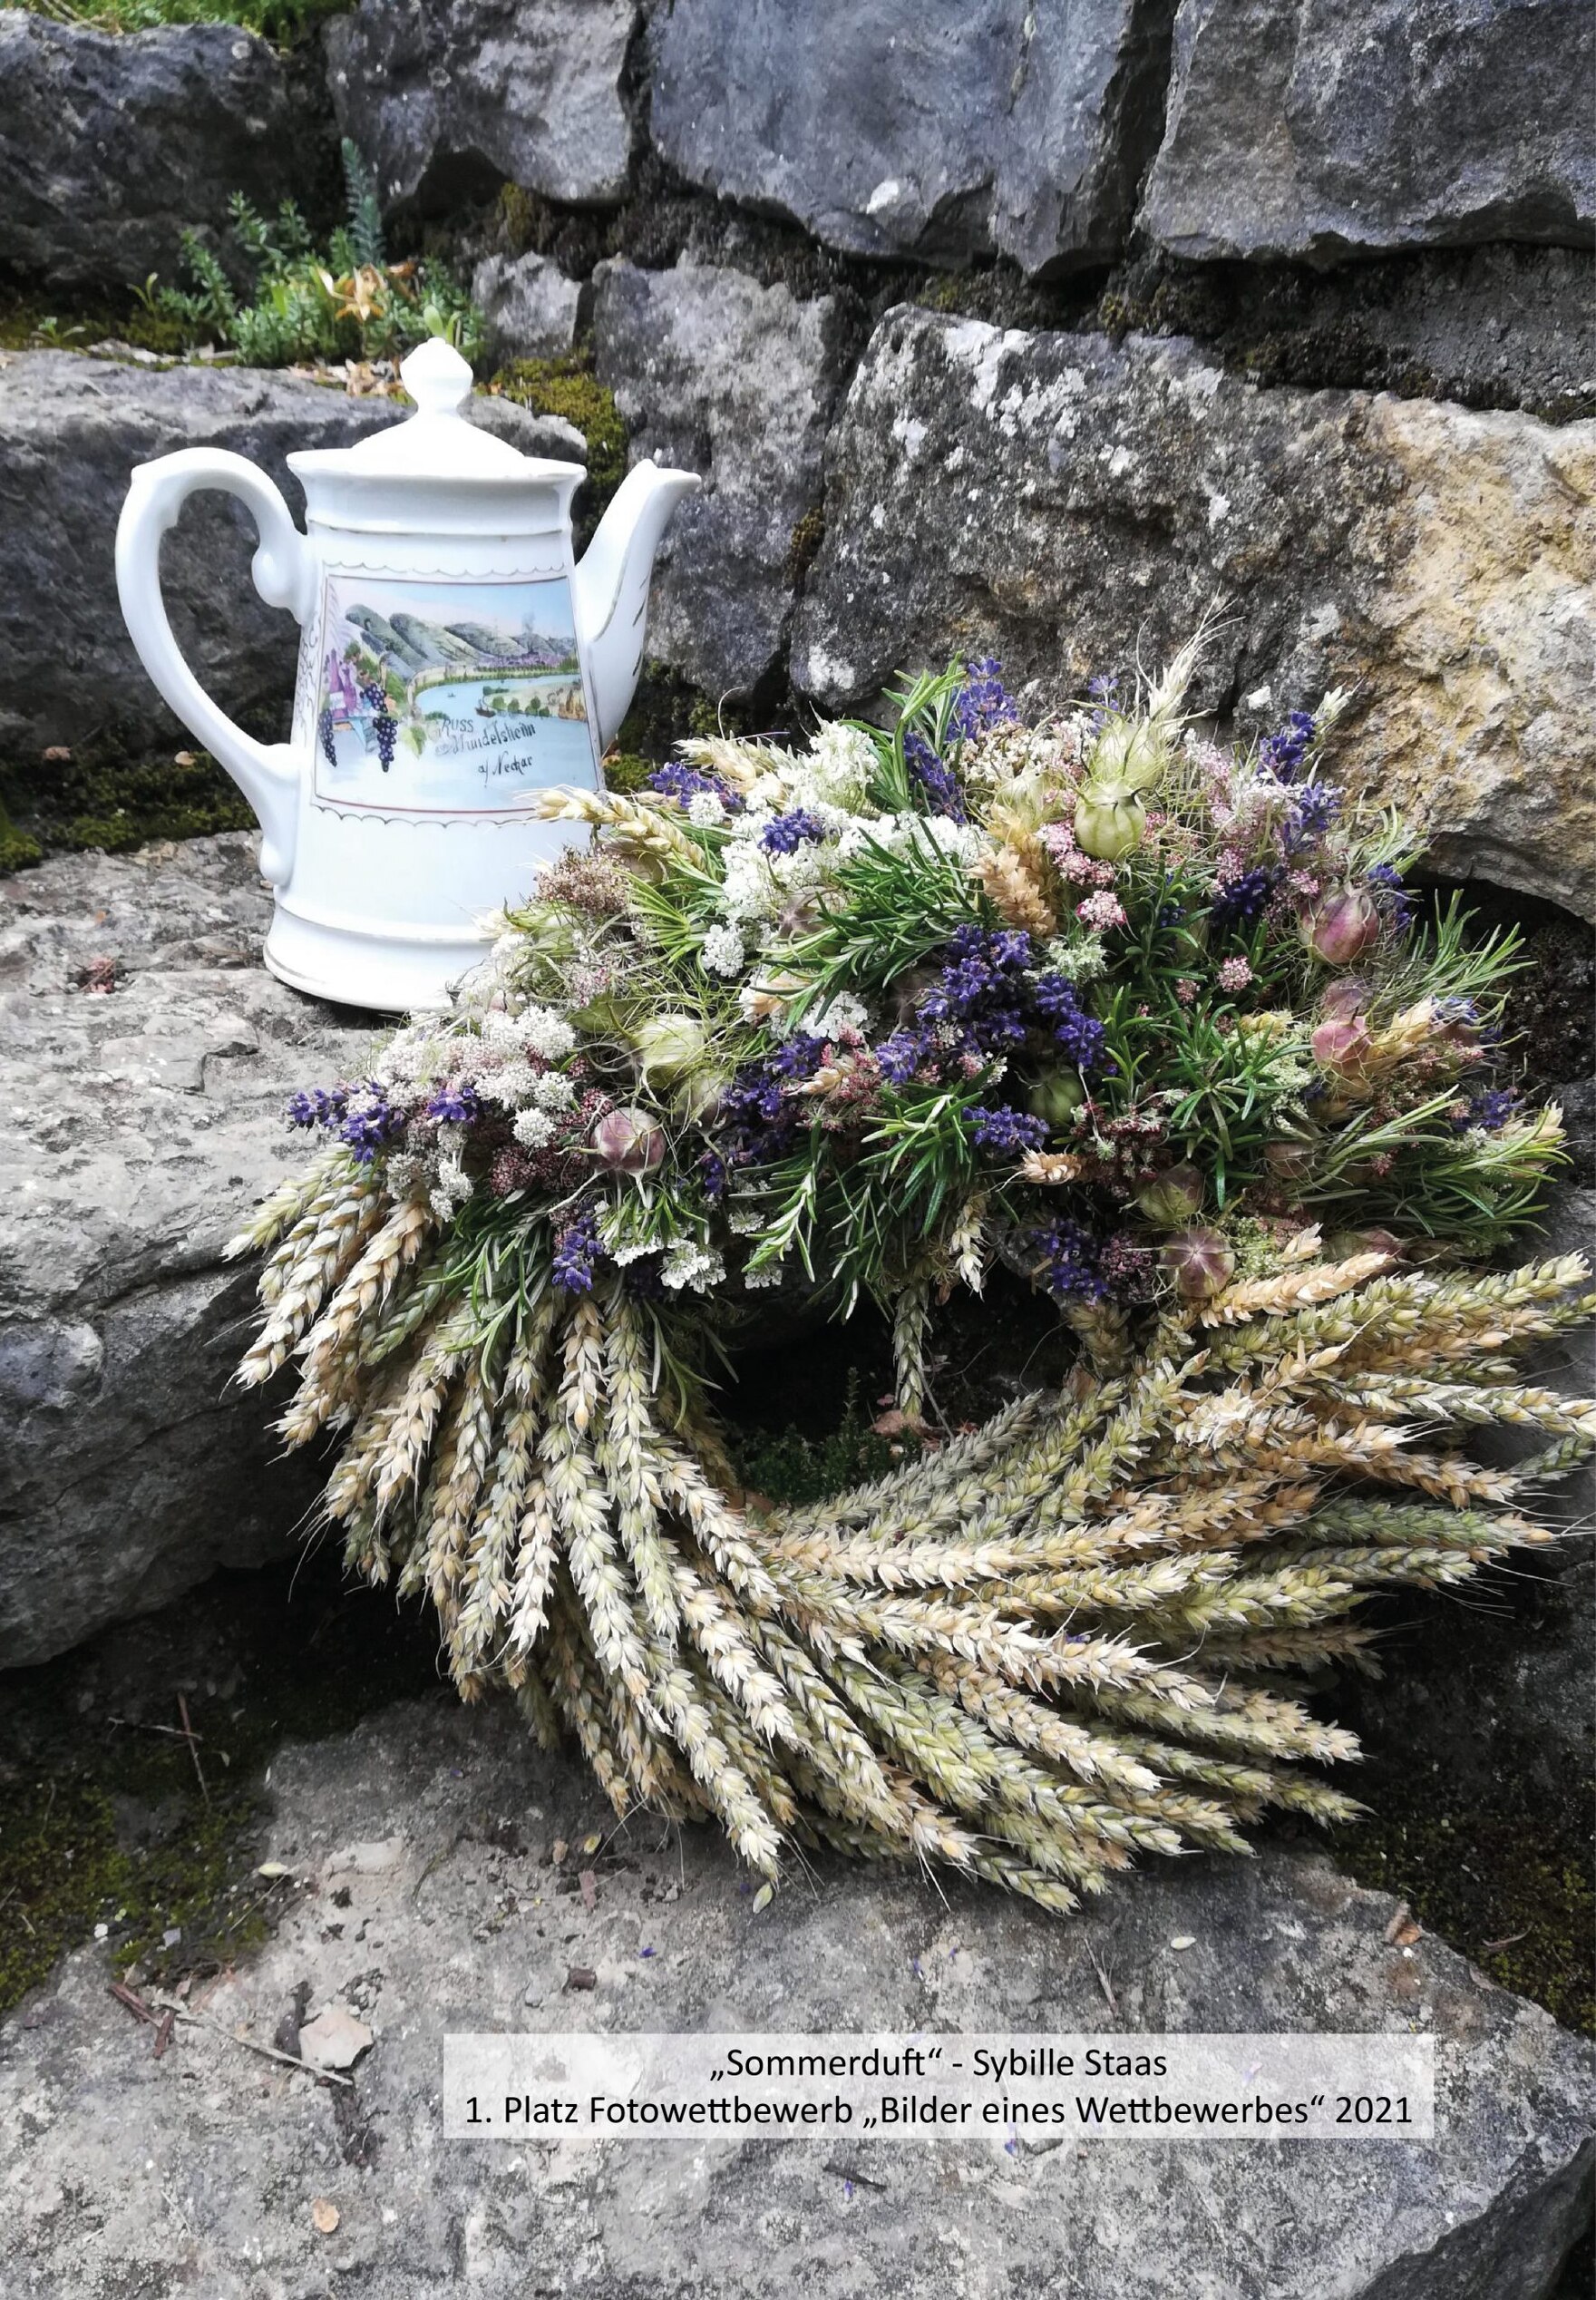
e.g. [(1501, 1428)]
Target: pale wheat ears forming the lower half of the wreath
[(1050, 1646)]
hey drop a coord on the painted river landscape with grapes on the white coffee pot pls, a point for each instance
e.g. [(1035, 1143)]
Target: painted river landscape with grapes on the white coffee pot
[(450, 698)]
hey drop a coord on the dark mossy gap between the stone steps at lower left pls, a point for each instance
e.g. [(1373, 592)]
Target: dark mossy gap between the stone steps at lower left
[(102, 1814)]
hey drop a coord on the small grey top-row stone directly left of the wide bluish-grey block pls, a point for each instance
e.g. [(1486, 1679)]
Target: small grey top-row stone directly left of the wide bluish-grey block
[(450, 98)]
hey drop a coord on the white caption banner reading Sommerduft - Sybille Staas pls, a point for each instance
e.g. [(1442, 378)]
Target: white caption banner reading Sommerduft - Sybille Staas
[(588, 2085)]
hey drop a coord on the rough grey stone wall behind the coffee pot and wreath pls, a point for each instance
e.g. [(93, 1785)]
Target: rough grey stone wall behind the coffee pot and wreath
[(988, 325)]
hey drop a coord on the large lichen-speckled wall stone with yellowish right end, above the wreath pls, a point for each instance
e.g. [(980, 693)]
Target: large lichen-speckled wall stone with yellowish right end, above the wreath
[(1066, 503)]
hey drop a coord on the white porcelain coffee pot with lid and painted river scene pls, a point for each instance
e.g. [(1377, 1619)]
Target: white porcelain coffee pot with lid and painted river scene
[(454, 664)]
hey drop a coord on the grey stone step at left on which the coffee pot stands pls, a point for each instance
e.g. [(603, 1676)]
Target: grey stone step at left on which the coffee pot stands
[(137, 1126)]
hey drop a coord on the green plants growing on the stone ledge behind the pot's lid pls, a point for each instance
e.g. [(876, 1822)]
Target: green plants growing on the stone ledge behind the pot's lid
[(307, 305)]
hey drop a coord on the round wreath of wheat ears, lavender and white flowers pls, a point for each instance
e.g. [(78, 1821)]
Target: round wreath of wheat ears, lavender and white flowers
[(1153, 1025)]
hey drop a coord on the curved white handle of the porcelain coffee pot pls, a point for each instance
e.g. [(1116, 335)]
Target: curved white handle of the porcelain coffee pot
[(284, 569)]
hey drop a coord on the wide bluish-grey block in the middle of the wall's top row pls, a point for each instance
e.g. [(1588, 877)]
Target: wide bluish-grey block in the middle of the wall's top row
[(891, 128)]
